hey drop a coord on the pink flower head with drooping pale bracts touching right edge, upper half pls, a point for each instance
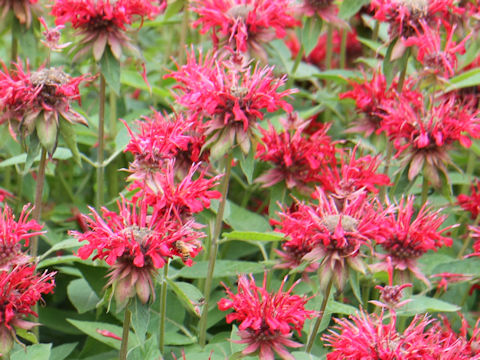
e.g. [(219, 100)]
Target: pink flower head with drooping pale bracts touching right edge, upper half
[(428, 134)]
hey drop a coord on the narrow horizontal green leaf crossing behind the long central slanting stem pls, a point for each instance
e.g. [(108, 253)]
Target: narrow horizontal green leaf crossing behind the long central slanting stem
[(223, 268)]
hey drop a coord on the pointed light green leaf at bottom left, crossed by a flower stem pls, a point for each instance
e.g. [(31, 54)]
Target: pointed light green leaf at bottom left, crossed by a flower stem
[(91, 328)]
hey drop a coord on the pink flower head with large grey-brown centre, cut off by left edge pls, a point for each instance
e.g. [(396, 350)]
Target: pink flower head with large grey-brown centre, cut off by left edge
[(38, 101)]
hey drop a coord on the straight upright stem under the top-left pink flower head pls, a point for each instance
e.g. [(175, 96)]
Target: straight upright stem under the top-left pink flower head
[(101, 145)]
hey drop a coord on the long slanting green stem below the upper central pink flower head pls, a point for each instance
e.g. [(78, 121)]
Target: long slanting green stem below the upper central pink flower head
[(214, 248)]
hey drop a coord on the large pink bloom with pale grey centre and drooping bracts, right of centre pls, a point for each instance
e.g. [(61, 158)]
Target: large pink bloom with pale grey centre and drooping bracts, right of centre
[(335, 235)]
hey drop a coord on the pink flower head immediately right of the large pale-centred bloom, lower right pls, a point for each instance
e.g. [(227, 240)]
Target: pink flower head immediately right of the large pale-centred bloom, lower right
[(407, 236)]
